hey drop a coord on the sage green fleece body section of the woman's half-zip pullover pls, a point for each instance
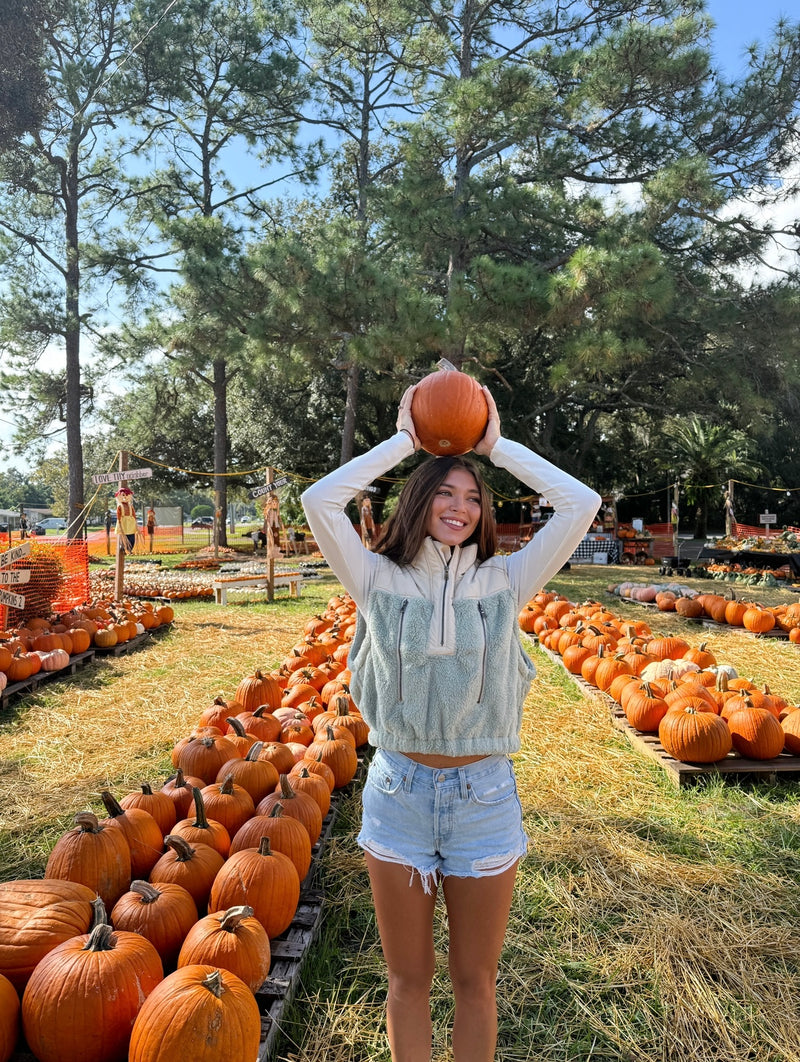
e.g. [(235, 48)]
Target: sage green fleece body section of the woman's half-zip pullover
[(463, 704)]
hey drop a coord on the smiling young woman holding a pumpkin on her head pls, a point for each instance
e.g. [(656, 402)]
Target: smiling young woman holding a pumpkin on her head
[(440, 676)]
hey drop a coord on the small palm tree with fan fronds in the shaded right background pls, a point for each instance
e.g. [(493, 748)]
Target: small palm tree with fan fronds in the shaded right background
[(705, 457)]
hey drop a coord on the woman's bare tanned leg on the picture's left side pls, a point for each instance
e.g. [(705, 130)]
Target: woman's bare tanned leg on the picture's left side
[(405, 915)]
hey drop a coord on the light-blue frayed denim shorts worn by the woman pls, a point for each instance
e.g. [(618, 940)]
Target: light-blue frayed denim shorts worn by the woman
[(440, 823)]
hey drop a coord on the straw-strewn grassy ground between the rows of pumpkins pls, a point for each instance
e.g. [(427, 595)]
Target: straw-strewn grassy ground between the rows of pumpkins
[(650, 924)]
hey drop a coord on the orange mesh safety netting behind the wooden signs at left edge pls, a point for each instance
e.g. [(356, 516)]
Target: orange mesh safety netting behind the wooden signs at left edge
[(60, 580)]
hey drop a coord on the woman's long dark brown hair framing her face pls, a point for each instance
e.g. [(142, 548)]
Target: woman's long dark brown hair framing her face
[(407, 528)]
